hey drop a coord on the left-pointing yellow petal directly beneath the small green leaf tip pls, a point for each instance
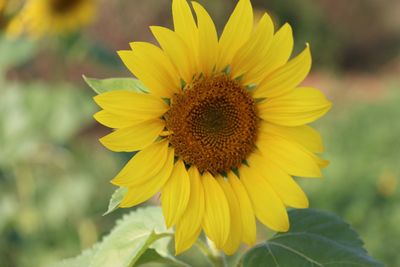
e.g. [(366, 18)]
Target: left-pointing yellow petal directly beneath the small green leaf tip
[(136, 106)]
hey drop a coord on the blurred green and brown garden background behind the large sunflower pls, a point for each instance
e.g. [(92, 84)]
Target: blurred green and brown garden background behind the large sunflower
[(54, 175)]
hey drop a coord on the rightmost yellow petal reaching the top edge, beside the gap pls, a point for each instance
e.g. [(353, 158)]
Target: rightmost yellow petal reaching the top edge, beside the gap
[(236, 32)]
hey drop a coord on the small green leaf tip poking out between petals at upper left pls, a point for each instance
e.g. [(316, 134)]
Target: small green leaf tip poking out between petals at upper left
[(106, 85)]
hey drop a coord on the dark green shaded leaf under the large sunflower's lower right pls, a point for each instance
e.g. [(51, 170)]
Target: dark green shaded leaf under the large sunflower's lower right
[(315, 238)]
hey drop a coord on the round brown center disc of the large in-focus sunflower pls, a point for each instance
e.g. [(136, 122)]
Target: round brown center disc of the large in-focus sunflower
[(213, 123)]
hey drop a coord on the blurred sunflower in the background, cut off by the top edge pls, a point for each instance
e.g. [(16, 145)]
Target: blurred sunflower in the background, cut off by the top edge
[(52, 17)]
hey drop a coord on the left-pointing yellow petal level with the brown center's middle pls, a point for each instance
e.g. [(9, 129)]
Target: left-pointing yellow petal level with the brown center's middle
[(133, 138)]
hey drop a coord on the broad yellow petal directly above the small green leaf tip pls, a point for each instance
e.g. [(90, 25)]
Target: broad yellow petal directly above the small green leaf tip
[(151, 66)]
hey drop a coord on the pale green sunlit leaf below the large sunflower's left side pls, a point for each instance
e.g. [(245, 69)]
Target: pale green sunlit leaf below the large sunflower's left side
[(132, 238)]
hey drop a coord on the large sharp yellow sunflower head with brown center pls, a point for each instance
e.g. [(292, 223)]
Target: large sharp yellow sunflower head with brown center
[(222, 129)]
